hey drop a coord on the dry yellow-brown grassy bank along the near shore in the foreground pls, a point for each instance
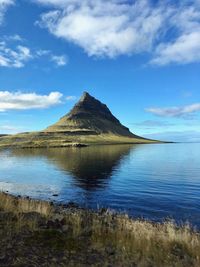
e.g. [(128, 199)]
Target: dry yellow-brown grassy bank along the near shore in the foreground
[(37, 233)]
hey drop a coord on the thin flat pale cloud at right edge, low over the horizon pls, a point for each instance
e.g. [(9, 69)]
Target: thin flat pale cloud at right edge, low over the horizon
[(183, 112)]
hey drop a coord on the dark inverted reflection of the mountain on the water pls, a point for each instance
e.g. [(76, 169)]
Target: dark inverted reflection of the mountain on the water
[(90, 167)]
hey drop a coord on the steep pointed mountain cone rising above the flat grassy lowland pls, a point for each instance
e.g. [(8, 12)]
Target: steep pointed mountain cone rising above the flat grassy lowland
[(90, 116)]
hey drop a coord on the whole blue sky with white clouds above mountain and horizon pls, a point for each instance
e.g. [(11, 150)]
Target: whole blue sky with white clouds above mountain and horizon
[(140, 57)]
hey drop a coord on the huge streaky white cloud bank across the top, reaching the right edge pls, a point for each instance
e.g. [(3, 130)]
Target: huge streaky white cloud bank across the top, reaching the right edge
[(168, 31)]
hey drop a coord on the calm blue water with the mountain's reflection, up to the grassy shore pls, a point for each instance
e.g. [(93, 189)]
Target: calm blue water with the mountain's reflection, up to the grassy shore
[(150, 181)]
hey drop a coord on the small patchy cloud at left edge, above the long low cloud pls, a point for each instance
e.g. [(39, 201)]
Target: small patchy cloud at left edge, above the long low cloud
[(14, 57)]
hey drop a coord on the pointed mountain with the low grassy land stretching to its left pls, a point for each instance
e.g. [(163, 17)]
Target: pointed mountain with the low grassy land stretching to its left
[(89, 122)]
